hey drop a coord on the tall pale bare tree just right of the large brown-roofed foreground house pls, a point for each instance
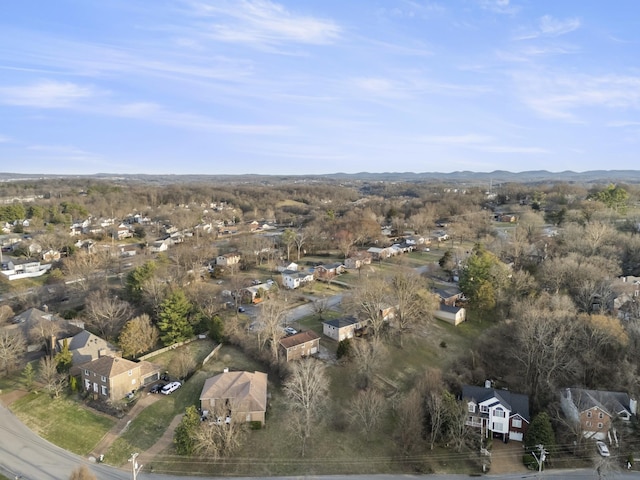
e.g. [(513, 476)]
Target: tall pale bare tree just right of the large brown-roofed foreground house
[(306, 389)]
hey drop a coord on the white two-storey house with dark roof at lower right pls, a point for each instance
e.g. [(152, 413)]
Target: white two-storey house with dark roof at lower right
[(498, 413)]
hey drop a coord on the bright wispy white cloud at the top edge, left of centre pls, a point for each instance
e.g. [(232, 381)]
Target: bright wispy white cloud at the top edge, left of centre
[(262, 22)]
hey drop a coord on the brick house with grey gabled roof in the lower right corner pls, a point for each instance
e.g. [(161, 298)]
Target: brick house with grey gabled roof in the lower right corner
[(594, 411)]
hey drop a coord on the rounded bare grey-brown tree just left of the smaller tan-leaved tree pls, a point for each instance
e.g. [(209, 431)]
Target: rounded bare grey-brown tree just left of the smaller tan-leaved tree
[(106, 312)]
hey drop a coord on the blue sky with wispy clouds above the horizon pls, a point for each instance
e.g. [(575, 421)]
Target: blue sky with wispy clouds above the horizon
[(324, 86)]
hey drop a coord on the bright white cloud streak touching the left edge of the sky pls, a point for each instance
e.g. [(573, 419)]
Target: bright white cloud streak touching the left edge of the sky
[(47, 94)]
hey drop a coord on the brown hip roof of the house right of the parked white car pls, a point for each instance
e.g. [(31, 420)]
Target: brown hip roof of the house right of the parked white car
[(248, 389)]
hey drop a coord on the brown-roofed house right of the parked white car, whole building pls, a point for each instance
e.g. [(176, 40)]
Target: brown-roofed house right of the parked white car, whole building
[(244, 393)]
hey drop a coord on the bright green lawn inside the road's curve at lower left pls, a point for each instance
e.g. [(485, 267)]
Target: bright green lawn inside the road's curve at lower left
[(62, 421)]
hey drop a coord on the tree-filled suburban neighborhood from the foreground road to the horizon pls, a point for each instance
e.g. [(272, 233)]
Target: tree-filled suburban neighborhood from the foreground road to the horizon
[(455, 327)]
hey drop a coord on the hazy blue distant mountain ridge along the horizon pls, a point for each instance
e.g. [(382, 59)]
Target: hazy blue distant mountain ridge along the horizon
[(497, 176)]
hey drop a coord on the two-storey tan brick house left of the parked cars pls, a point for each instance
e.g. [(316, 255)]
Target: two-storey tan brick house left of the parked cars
[(111, 378)]
